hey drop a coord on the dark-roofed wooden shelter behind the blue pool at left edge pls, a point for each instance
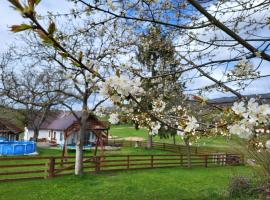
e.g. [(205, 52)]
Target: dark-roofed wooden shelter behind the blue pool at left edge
[(9, 130)]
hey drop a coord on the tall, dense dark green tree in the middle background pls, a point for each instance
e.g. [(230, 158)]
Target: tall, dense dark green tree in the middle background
[(157, 56)]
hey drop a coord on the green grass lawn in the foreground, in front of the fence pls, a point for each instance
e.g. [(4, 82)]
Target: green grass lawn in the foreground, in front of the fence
[(167, 184)]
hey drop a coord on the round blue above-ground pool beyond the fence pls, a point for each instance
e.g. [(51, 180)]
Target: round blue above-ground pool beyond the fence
[(17, 147)]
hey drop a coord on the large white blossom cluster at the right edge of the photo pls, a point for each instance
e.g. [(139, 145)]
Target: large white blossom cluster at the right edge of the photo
[(251, 115)]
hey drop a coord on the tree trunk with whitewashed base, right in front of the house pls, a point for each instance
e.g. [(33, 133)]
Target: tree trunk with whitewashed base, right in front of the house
[(80, 142)]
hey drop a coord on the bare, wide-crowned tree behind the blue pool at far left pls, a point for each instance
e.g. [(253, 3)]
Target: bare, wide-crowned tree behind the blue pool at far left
[(32, 92)]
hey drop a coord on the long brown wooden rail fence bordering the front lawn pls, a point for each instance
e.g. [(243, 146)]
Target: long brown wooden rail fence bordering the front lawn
[(25, 168)]
